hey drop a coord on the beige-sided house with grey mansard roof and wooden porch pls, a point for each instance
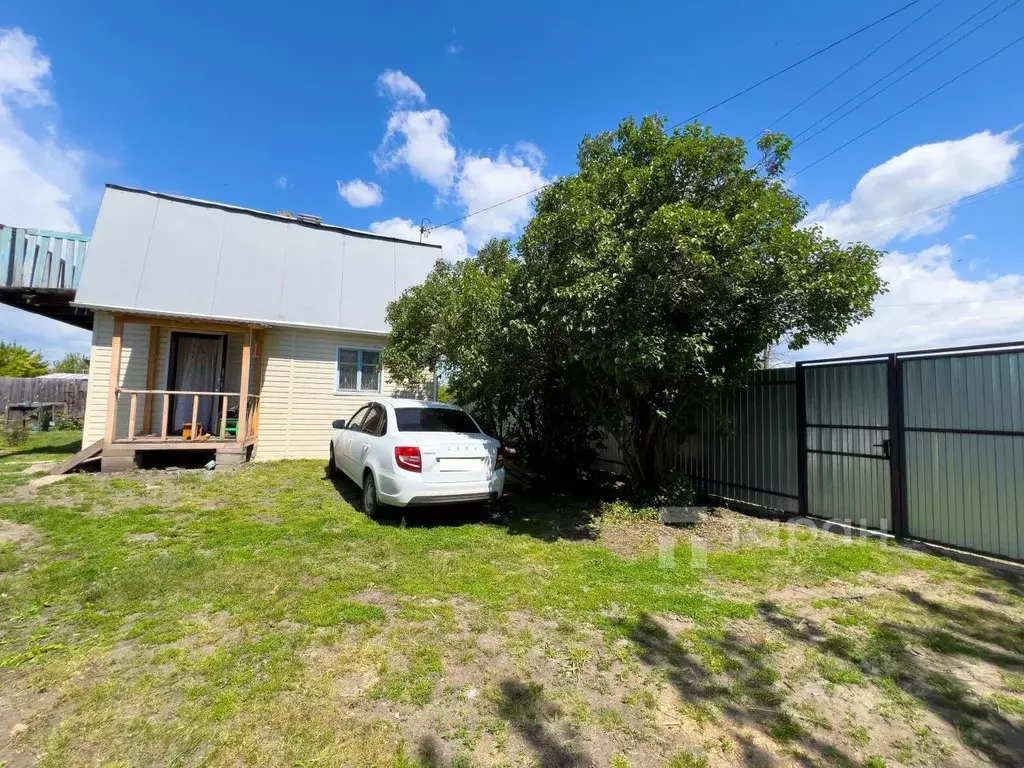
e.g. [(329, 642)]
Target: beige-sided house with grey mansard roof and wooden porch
[(233, 332)]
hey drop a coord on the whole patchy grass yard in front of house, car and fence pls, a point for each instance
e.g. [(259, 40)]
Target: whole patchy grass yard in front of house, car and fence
[(258, 619)]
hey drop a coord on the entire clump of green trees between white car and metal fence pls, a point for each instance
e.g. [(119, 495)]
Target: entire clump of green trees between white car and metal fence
[(646, 286)]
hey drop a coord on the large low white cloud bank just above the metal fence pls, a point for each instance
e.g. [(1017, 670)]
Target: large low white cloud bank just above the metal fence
[(930, 305)]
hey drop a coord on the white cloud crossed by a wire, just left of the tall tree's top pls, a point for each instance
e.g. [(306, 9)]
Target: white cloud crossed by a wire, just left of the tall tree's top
[(486, 182)]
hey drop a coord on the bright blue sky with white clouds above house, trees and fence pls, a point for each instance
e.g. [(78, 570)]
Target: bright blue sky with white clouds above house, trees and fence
[(375, 117)]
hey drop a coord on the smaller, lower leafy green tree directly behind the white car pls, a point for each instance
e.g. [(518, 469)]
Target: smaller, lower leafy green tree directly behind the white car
[(460, 324)]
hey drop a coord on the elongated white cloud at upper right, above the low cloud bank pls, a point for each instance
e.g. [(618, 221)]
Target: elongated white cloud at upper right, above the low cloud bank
[(921, 179)]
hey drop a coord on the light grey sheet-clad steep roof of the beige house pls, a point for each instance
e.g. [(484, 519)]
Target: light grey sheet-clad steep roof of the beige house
[(169, 255)]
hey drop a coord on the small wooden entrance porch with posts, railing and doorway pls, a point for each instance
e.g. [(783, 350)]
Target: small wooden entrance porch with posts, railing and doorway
[(200, 395)]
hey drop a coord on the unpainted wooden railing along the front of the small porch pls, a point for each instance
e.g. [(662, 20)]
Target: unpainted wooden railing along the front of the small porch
[(245, 430)]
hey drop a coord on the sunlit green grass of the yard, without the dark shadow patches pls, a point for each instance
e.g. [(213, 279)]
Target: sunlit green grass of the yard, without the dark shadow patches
[(205, 618)]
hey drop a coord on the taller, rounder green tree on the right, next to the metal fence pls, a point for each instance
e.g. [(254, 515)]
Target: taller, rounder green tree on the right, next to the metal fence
[(667, 266)]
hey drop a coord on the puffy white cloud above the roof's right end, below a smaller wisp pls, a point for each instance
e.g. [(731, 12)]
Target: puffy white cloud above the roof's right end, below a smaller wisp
[(422, 142)]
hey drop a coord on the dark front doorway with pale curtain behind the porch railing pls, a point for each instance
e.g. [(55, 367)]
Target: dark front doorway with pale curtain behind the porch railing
[(197, 365)]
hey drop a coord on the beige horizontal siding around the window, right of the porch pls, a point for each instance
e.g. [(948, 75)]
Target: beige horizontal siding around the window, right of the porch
[(298, 402)]
